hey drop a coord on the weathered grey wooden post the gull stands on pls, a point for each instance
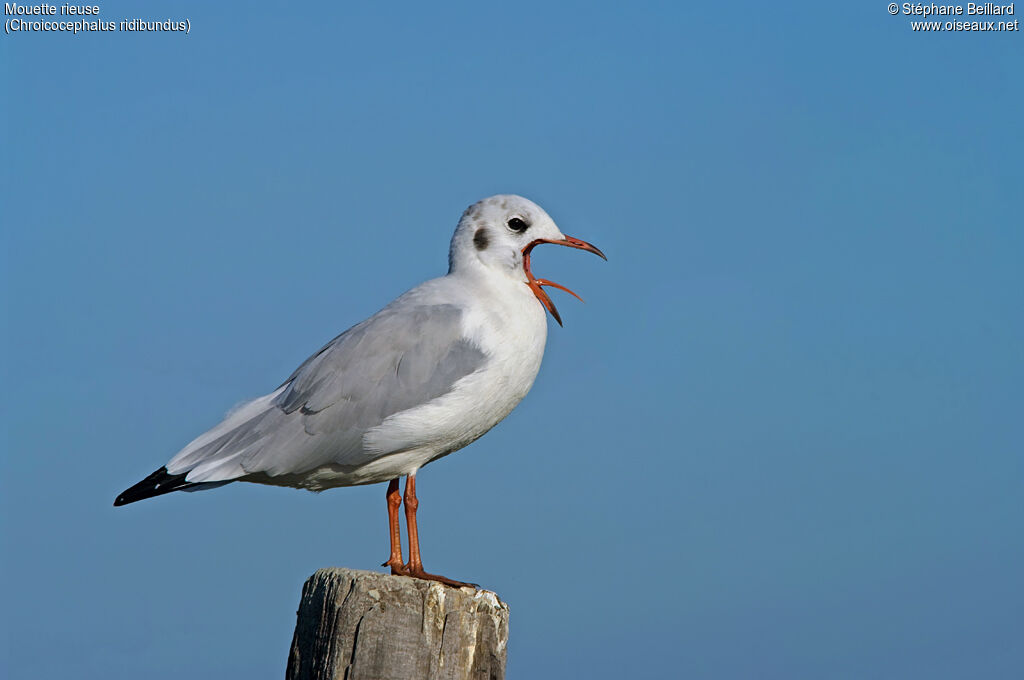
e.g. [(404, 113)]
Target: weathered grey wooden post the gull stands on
[(368, 626)]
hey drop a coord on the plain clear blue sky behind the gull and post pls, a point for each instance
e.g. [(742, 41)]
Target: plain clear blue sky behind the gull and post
[(783, 439)]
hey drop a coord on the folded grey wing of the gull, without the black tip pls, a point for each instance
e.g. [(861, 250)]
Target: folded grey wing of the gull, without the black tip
[(402, 358)]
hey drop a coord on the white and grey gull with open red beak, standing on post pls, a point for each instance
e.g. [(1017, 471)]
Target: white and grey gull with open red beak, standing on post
[(424, 377)]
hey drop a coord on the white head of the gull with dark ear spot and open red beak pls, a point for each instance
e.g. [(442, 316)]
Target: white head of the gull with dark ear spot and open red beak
[(500, 233)]
